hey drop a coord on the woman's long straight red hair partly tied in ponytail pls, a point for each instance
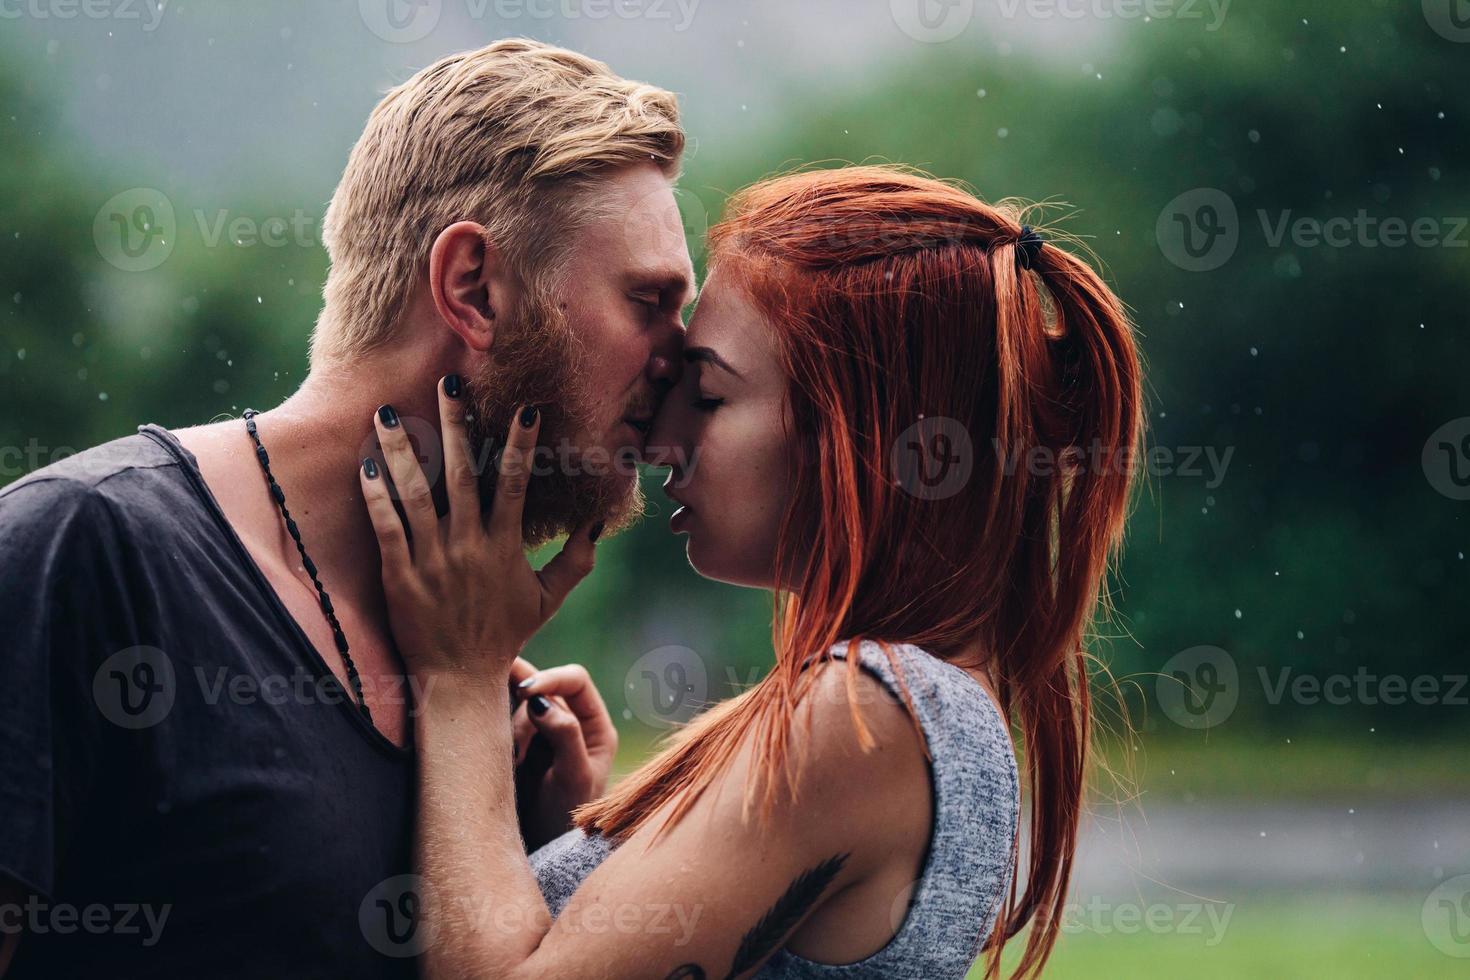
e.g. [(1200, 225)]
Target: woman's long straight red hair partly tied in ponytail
[(903, 315)]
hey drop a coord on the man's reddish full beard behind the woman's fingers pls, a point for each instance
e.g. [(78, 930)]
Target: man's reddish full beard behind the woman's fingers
[(539, 362)]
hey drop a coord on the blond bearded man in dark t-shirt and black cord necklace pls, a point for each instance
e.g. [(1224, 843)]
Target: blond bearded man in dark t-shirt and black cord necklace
[(204, 762)]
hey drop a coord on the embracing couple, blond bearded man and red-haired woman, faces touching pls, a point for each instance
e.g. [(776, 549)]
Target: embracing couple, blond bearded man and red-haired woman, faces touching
[(502, 343)]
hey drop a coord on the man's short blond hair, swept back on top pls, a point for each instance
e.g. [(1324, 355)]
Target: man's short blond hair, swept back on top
[(506, 137)]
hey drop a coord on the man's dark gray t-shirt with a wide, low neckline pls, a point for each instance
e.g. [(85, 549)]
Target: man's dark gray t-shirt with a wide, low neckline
[(186, 791)]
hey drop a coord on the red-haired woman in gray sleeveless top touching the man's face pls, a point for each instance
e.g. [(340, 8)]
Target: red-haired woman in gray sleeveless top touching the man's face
[(896, 396)]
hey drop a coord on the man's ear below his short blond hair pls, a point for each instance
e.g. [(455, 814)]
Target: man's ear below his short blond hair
[(471, 283)]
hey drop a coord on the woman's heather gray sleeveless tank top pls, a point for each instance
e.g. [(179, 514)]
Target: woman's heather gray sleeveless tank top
[(977, 801)]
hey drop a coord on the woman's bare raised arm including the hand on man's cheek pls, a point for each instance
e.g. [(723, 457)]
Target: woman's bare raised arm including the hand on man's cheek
[(715, 897)]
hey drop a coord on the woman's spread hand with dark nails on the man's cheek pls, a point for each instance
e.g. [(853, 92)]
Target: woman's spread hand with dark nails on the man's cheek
[(462, 597)]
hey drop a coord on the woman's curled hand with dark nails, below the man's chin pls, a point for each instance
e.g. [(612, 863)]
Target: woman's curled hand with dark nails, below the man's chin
[(565, 747)]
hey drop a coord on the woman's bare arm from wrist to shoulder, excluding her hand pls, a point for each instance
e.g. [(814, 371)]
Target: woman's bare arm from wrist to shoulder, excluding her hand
[(714, 897)]
